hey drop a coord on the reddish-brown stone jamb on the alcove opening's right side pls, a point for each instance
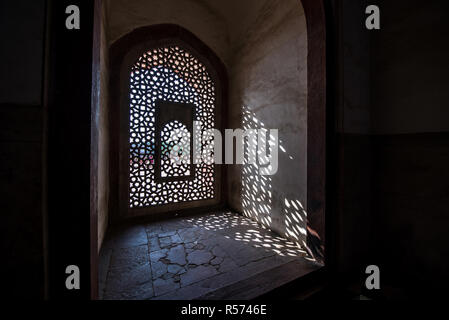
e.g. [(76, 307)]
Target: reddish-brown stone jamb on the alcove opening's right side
[(317, 126)]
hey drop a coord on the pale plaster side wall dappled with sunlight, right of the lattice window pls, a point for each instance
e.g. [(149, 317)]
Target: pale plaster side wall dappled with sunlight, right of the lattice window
[(268, 89)]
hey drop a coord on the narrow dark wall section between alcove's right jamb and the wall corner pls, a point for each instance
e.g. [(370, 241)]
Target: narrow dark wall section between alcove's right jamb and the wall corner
[(353, 218)]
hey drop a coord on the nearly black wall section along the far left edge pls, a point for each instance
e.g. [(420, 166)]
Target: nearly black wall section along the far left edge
[(21, 147)]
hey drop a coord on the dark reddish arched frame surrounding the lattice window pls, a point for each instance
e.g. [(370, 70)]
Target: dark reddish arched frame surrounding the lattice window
[(123, 54)]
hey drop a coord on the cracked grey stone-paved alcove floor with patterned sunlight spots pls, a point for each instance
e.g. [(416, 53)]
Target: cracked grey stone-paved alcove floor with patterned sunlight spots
[(189, 258)]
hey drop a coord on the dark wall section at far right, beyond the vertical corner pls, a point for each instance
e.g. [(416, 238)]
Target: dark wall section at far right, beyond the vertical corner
[(410, 77)]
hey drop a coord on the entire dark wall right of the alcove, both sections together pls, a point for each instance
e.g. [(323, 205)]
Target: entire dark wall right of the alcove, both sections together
[(392, 144)]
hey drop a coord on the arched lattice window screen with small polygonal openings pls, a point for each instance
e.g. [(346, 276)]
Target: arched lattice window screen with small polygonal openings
[(172, 75)]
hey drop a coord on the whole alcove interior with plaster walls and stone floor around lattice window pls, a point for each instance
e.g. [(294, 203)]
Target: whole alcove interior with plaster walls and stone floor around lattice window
[(256, 231)]
